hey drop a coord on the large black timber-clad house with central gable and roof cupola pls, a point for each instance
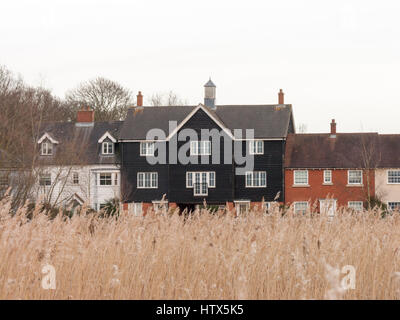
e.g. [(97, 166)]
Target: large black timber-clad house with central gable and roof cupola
[(144, 184)]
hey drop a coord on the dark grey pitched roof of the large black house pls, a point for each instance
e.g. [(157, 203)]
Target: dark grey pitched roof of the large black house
[(268, 121)]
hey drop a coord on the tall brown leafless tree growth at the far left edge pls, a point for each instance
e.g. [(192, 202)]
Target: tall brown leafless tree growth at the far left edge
[(23, 110)]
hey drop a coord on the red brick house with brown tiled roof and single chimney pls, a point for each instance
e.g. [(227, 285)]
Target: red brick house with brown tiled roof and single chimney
[(330, 170)]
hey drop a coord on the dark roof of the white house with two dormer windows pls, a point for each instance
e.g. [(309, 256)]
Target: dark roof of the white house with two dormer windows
[(87, 137)]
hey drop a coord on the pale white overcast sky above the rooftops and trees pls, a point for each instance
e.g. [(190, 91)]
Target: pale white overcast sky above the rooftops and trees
[(333, 59)]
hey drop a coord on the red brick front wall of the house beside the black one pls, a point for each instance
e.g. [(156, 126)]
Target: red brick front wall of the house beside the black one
[(338, 190)]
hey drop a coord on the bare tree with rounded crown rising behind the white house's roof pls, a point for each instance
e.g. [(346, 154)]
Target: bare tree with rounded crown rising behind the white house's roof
[(109, 99)]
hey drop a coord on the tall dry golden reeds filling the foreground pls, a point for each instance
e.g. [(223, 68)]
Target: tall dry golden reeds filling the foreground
[(204, 256)]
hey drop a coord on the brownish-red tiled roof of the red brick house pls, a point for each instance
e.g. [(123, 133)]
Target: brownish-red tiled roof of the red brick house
[(346, 150)]
